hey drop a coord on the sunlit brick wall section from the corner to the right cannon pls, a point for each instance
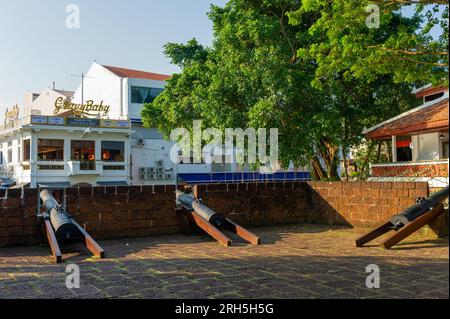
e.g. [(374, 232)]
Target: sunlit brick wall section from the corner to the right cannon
[(361, 204)]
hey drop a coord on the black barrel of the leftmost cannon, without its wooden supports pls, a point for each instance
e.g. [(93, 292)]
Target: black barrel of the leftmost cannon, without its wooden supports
[(61, 222)]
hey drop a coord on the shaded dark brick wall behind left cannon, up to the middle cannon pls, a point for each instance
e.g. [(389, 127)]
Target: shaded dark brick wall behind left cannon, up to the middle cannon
[(105, 212)]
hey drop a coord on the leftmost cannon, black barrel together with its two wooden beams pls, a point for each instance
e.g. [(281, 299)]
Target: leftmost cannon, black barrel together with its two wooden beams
[(60, 226)]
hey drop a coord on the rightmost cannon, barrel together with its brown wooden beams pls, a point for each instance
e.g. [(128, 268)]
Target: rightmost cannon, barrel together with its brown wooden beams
[(408, 221)]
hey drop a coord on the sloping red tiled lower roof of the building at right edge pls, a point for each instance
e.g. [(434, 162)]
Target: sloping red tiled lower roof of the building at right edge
[(431, 118)]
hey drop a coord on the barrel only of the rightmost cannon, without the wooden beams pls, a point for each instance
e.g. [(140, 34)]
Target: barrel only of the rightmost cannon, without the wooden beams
[(421, 207)]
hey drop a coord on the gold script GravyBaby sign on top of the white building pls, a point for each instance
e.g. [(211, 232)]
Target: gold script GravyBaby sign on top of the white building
[(88, 109)]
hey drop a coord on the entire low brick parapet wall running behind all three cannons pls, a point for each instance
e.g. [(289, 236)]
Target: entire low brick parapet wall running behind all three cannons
[(135, 211)]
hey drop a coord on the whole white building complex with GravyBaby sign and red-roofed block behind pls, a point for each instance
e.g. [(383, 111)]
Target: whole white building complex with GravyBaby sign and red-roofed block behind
[(103, 116)]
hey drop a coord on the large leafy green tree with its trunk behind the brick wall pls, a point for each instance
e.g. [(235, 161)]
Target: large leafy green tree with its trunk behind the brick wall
[(269, 67)]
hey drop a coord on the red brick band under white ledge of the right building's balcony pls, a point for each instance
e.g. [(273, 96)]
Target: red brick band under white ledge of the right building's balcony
[(425, 170)]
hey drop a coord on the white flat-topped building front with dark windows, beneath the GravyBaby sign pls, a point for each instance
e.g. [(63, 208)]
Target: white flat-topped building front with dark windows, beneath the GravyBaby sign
[(54, 150)]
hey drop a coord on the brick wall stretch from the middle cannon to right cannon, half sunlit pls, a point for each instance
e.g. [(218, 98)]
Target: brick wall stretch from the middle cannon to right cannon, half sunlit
[(344, 203)]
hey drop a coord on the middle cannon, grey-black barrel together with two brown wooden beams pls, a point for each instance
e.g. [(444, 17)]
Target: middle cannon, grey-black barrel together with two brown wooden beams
[(210, 221)]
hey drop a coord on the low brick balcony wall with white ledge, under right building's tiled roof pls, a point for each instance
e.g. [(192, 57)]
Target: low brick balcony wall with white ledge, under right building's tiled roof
[(423, 169)]
